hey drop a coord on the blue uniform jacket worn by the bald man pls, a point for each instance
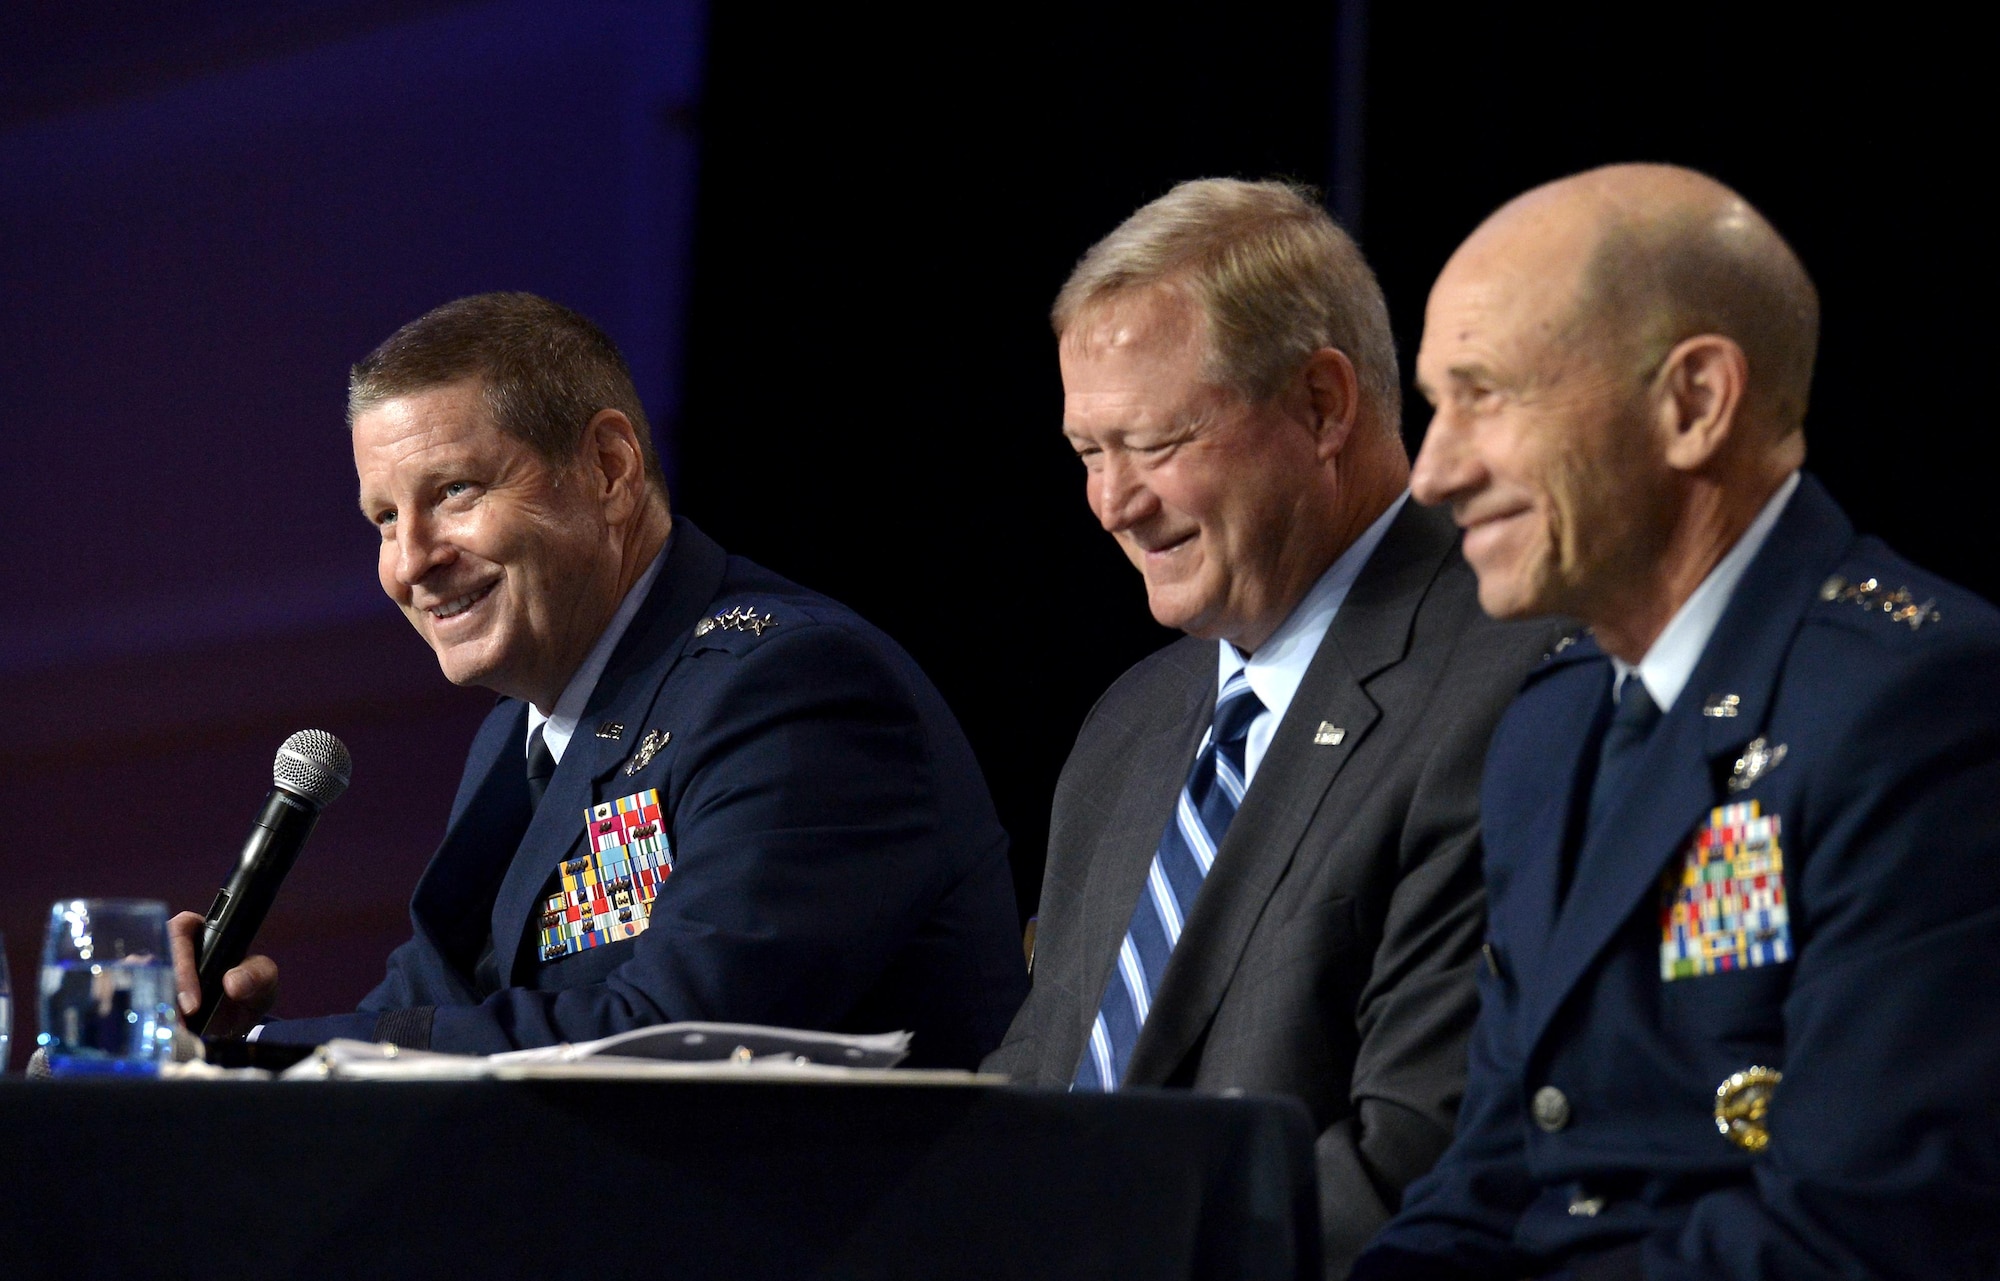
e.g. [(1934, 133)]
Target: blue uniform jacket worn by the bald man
[(1885, 1132)]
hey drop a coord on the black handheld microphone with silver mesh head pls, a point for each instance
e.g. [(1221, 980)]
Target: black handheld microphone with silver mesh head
[(311, 774)]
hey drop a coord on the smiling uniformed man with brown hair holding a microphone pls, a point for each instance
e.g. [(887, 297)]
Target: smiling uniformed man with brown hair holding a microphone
[(707, 794)]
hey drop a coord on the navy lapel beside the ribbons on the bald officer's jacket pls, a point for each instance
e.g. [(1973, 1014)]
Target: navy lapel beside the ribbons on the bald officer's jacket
[(1679, 778)]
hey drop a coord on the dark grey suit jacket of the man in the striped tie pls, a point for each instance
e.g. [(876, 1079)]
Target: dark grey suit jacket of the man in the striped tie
[(1331, 950)]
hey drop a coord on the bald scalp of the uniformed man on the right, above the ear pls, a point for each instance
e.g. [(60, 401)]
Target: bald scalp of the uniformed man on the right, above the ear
[(1655, 255)]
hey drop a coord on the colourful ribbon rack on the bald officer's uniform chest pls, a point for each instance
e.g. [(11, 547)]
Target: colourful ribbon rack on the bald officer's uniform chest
[(1723, 906)]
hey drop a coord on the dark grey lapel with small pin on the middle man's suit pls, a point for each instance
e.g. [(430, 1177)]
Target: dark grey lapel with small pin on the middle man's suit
[(1369, 635)]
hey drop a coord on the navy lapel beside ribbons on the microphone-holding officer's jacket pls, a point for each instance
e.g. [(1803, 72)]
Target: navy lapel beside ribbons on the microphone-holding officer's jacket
[(627, 692)]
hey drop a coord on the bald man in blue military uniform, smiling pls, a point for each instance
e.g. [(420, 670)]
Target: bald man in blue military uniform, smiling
[(1743, 844)]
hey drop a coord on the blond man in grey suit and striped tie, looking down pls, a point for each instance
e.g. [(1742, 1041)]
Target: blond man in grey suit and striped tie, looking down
[(1263, 868)]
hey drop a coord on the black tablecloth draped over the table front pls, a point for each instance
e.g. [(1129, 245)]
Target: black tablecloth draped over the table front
[(647, 1180)]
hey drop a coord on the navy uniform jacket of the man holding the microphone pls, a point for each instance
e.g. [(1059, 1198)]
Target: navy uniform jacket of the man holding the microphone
[(839, 864)]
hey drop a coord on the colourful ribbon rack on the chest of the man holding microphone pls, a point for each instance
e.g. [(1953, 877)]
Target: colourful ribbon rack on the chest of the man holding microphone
[(607, 894)]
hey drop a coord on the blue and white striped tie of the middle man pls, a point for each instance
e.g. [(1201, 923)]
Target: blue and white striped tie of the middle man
[(1187, 852)]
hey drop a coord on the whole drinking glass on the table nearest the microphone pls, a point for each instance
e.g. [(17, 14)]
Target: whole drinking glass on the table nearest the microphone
[(107, 988)]
